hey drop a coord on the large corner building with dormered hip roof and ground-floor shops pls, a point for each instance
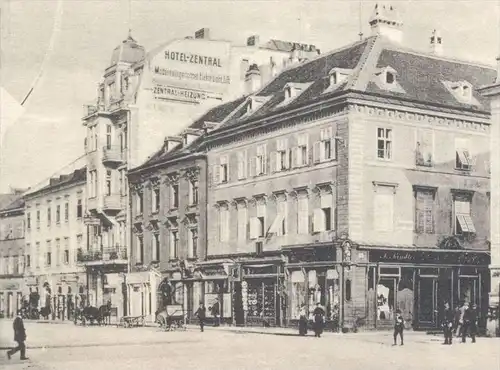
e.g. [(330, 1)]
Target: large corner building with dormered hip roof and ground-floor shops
[(350, 181)]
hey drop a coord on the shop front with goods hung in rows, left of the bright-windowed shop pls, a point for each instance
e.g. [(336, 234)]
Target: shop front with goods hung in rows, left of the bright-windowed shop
[(259, 293)]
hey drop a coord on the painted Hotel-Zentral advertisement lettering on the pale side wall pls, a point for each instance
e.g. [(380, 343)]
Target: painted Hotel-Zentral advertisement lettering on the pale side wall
[(191, 71)]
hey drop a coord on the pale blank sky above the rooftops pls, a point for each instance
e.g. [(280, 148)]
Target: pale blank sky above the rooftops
[(49, 134)]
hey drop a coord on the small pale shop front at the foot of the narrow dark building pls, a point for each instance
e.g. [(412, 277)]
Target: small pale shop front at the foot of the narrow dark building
[(140, 291)]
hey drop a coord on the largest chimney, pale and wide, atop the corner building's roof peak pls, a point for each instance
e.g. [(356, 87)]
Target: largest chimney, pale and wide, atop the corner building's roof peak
[(385, 22)]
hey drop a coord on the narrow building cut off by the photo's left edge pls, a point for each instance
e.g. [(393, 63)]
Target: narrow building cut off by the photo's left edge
[(12, 256)]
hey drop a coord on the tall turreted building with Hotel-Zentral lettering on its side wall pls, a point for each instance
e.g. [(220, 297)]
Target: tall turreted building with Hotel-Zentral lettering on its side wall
[(143, 98)]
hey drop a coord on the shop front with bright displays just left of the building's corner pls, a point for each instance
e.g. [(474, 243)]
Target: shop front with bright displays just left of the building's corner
[(314, 276)]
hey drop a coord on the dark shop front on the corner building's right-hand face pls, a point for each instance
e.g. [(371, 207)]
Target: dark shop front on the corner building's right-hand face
[(420, 282)]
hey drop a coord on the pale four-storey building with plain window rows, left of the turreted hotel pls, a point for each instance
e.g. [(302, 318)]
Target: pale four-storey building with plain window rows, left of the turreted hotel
[(55, 241)]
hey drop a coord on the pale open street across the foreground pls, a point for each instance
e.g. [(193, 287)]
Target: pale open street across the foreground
[(75, 347)]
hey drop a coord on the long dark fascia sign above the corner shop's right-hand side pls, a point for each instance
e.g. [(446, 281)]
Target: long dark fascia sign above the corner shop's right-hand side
[(430, 257)]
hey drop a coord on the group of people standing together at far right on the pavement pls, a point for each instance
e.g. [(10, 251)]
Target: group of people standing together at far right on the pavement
[(461, 322)]
